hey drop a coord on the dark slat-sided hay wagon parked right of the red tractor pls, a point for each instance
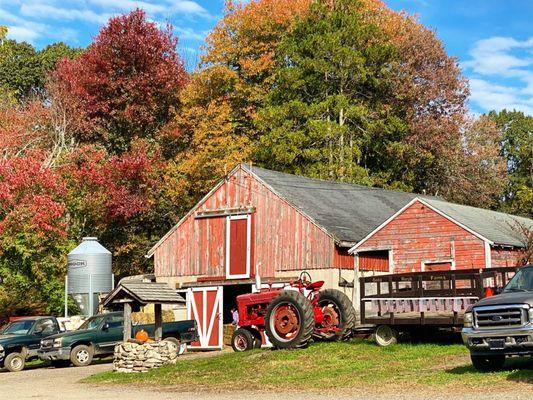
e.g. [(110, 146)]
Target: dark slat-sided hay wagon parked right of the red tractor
[(412, 302)]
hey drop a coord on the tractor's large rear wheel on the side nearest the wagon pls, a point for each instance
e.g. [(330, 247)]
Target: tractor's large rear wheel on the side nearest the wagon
[(339, 315)]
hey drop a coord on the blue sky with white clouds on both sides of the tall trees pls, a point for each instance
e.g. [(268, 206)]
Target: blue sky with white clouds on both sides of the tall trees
[(493, 39)]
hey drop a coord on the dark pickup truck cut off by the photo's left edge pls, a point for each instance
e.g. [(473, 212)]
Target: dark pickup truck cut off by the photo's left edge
[(21, 339)]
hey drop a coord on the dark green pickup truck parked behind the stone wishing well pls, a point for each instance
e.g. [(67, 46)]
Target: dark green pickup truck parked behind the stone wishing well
[(98, 335)]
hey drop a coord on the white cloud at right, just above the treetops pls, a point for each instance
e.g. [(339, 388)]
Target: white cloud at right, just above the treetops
[(501, 70)]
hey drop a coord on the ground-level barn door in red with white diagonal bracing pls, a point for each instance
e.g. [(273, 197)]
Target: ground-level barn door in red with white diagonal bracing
[(204, 305)]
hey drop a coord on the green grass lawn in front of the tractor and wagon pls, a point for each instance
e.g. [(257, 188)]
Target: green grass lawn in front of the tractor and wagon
[(356, 363)]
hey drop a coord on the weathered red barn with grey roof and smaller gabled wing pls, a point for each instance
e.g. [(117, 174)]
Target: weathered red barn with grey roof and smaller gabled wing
[(257, 221)]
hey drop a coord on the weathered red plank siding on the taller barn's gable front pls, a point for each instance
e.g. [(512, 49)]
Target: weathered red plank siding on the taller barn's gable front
[(283, 239)]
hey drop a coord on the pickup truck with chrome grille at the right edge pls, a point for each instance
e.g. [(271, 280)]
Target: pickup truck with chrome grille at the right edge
[(501, 326)]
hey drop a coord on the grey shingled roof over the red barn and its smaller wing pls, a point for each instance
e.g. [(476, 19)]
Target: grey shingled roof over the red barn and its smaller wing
[(350, 212)]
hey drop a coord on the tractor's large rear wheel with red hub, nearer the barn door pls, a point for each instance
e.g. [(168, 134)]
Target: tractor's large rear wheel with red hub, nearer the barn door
[(289, 320)]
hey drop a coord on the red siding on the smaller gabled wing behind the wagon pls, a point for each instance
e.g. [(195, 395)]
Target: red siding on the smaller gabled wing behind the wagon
[(420, 234)]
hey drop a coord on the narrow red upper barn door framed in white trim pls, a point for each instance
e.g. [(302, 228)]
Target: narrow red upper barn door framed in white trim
[(238, 238)]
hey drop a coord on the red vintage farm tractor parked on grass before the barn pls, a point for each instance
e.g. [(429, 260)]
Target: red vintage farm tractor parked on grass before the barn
[(292, 315)]
